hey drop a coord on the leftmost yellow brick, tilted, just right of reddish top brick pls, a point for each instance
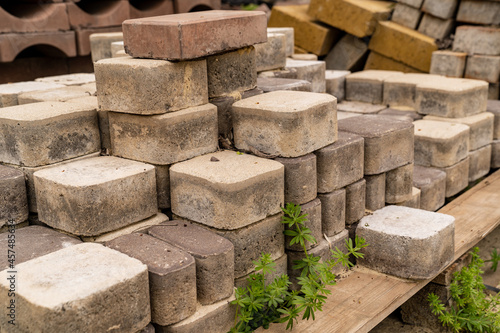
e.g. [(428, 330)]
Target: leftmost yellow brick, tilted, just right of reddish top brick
[(311, 36)]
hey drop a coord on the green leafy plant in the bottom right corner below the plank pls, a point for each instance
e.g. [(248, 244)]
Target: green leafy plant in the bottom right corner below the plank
[(471, 310)]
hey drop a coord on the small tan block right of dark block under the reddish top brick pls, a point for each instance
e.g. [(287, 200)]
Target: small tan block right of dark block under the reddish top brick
[(271, 54)]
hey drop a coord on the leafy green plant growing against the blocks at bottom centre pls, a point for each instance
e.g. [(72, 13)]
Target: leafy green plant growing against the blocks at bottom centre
[(259, 304)]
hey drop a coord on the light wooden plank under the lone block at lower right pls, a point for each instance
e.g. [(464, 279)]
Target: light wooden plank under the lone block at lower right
[(364, 298)]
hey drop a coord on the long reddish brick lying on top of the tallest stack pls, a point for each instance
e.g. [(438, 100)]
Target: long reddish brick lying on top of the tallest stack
[(193, 35)]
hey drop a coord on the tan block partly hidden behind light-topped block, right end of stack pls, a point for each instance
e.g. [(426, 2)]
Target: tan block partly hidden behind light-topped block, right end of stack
[(481, 127)]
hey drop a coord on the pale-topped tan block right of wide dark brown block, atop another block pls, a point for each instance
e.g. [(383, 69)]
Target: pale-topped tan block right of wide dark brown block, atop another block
[(440, 144)]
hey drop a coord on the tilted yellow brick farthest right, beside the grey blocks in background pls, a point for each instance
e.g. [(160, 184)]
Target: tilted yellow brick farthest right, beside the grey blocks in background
[(403, 44)]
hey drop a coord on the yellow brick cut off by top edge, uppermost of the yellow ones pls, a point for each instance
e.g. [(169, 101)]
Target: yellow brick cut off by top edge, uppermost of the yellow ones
[(357, 17)]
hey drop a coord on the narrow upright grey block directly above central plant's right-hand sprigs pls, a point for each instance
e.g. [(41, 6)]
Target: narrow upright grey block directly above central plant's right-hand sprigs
[(333, 212)]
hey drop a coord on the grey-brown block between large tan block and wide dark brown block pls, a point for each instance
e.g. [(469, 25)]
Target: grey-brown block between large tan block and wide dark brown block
[(340, 163)]
